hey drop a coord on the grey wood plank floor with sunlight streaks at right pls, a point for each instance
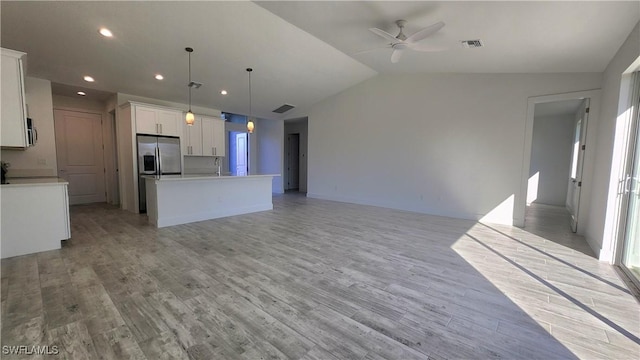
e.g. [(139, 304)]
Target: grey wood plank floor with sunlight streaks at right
[(317, 279)]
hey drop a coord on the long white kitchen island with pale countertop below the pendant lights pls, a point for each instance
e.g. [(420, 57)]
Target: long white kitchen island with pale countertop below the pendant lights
[(181, 199)]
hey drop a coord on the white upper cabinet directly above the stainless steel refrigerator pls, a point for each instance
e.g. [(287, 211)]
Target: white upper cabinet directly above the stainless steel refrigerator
[(157, 121)]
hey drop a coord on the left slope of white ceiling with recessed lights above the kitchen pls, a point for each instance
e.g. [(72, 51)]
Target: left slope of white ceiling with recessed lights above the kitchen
[(290, 66)]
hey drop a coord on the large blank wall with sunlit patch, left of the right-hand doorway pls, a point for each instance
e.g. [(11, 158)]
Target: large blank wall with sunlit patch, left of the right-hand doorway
[(445, 144)]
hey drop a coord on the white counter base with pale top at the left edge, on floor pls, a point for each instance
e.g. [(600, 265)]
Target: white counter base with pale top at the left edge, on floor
[(35, 215)]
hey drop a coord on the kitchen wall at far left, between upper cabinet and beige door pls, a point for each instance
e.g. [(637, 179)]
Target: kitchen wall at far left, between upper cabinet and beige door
[(39, 160)]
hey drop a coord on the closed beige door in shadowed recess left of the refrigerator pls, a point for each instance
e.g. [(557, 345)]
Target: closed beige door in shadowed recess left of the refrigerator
[(80, 155)]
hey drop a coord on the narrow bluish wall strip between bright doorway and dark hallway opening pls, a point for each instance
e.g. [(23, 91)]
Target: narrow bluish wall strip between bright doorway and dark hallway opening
[(271, 150)]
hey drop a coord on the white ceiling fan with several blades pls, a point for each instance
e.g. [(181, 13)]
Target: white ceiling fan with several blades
[(401, 42)]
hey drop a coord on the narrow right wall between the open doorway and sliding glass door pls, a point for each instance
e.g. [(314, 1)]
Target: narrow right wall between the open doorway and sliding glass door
[(602, 225)]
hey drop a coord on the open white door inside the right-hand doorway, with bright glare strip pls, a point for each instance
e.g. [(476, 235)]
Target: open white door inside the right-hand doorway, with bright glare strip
[(577, 162)]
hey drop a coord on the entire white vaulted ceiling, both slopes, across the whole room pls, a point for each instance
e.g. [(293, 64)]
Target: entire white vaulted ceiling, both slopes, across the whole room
[(301, 52)]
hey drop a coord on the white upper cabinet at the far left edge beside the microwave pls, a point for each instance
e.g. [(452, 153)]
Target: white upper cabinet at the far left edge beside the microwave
[(13, 124)]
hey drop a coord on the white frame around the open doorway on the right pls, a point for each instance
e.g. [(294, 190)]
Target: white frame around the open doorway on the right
[(589, 159)]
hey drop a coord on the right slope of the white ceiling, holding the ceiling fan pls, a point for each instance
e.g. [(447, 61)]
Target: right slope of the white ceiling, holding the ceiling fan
[(519, 36)]
